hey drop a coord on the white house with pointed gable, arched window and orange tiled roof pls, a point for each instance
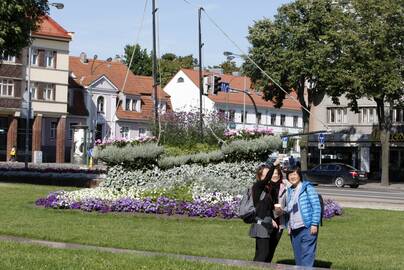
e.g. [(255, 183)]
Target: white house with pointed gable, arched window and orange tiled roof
[(119, 103)]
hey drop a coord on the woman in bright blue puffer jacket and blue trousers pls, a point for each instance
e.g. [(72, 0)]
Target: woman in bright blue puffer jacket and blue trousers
[(303, 207)]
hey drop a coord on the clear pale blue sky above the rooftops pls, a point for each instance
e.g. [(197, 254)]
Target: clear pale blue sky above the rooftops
[(105, 27)]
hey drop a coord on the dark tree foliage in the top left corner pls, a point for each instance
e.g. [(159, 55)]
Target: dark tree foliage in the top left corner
[(17, 19)]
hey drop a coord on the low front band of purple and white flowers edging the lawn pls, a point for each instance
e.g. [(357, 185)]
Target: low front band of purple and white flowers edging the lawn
[(106, 200)]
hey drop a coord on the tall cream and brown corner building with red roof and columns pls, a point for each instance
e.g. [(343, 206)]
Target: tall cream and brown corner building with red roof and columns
[(47, 73)]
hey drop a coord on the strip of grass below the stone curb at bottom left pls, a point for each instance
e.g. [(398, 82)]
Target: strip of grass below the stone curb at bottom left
[(23, 256)]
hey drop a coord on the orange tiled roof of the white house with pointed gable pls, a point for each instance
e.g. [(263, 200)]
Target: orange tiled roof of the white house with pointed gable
[(116, 72)]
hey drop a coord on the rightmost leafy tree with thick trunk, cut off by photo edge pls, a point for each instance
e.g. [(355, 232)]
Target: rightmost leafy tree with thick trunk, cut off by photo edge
[(374, 43)]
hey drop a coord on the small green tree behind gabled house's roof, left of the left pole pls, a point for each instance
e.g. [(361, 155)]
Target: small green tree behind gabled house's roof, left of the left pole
[(142, 61)]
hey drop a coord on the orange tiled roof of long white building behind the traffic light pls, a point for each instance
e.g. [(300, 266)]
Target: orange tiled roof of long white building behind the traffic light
[(237, 82)]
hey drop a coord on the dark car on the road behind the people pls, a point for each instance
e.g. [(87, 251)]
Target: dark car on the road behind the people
[(338, 174)]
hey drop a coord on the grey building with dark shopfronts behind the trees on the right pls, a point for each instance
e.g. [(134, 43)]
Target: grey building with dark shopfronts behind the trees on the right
[(354, 137)]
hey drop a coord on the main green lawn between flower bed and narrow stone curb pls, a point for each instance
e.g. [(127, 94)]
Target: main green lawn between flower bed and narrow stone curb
[(360, 239)]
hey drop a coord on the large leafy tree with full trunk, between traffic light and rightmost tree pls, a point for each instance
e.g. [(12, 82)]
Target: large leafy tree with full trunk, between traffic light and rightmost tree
[(299, 49)]
